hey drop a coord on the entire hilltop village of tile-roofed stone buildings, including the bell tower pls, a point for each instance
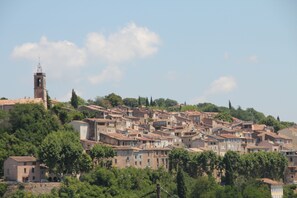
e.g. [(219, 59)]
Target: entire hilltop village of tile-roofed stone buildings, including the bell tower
[(143, 136)]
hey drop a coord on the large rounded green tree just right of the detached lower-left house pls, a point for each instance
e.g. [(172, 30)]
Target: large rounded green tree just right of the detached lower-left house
[(61, 151)]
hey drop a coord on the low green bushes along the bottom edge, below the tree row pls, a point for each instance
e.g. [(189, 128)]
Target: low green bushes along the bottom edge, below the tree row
[(131, 182)]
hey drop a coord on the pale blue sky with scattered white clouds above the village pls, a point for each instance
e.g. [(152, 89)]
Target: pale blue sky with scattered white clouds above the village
[(185, 50)]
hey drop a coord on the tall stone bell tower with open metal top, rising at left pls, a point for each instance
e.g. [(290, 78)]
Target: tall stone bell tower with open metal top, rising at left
[(40, 85)]
